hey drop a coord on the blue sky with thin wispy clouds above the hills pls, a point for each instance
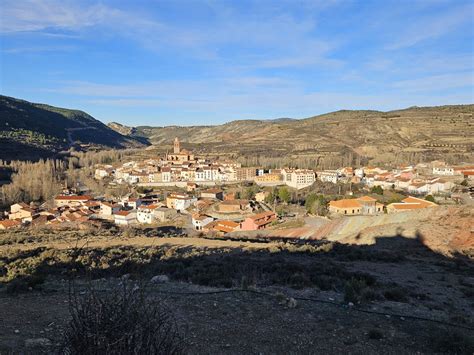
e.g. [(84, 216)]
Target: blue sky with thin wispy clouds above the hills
[(208, 62)]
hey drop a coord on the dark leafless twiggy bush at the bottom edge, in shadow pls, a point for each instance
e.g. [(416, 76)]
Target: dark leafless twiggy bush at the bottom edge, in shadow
[(120, 321)]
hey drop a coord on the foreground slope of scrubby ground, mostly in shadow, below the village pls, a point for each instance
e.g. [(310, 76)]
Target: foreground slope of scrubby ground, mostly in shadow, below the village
[(392, 294)]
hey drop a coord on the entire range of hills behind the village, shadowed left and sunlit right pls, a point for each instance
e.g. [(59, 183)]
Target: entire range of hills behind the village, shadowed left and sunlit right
[(31, 131)]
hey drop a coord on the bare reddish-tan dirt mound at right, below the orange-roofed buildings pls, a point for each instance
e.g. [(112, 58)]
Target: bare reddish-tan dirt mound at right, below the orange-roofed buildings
[(444, 229)]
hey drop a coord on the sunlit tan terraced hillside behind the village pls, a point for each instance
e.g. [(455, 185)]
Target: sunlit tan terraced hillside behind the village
[(445, 132)]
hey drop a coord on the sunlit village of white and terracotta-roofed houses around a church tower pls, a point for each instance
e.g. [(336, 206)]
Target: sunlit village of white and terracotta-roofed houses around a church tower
[(222, 197)]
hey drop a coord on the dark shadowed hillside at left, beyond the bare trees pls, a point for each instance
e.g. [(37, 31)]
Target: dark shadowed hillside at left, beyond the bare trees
[(31, 131)]
